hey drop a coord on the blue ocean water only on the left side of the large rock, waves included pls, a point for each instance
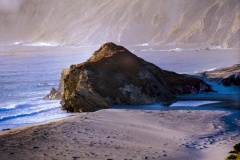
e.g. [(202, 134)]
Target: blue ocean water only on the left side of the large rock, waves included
[(25, 78)]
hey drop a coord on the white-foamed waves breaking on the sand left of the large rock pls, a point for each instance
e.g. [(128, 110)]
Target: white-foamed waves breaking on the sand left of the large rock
[(33, 111)]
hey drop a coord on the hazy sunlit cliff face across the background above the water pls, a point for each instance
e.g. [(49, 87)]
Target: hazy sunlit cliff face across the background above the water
[(89, 22)]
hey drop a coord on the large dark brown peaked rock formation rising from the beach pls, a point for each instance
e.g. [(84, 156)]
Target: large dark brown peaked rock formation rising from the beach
[(113, 75)]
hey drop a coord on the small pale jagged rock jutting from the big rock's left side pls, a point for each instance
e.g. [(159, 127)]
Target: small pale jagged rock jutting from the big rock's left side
[(57, 94)]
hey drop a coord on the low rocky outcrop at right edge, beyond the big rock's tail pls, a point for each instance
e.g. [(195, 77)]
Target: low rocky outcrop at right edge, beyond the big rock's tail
[(227, 76)]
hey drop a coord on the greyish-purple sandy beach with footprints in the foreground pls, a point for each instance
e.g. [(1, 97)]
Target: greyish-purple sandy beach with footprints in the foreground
[(125, 134)]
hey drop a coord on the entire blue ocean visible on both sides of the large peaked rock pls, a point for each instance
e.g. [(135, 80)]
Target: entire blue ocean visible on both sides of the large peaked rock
[(27, 74)]
